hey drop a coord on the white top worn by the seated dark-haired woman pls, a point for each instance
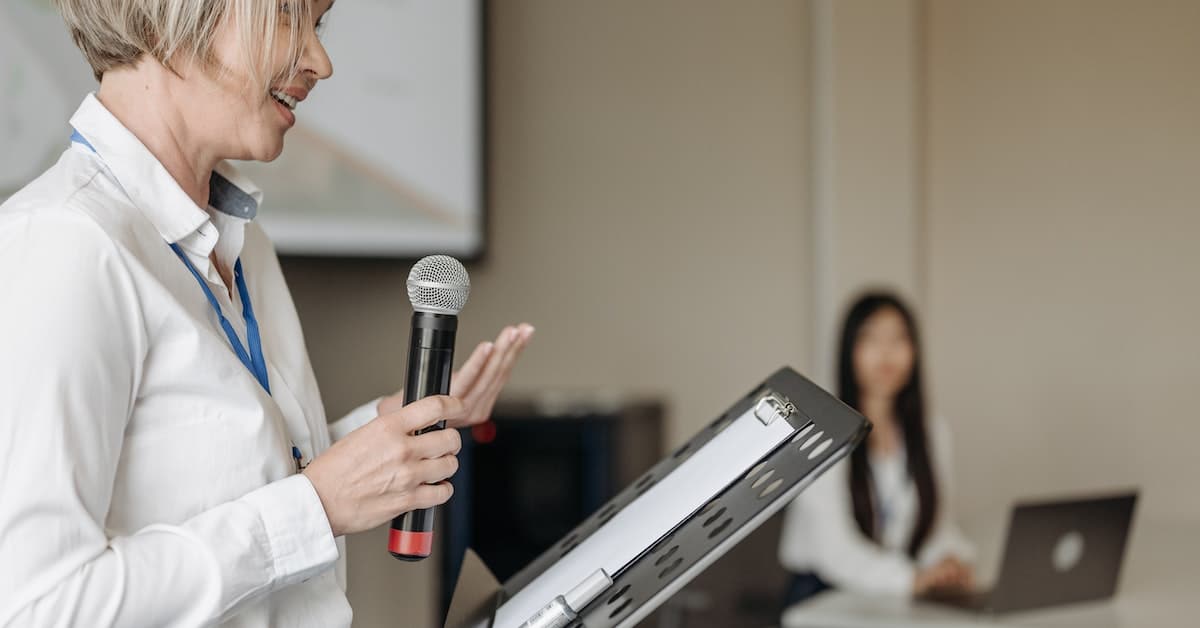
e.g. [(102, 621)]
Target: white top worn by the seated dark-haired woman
[(821, 536)]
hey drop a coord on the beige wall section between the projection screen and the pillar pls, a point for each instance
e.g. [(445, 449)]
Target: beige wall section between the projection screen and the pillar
[(649, 217)]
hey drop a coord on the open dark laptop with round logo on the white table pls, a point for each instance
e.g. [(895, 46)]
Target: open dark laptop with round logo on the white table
[(1057, 553)]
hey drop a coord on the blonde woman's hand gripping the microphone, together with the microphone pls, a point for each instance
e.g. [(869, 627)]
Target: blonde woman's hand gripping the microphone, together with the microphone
[(400, 462)]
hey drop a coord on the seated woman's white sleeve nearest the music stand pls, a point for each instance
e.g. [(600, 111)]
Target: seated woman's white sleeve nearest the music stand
[(820, 535)]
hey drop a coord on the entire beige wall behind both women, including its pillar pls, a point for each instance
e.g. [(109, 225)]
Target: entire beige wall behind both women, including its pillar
[(651, 186)]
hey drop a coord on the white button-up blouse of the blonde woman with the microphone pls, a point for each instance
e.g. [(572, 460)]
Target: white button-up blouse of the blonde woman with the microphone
[(146, 476)]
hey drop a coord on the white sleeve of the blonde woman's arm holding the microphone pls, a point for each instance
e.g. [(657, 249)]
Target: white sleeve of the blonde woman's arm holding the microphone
[(73, 342)]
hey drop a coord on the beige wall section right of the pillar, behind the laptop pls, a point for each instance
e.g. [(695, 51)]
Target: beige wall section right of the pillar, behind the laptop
[(1064, 186)]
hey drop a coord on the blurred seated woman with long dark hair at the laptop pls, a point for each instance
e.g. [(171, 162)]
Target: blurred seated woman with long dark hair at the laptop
[(883, 522)]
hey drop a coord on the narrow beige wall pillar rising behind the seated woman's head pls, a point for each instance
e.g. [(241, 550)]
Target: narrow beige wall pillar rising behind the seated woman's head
[(866, 168)]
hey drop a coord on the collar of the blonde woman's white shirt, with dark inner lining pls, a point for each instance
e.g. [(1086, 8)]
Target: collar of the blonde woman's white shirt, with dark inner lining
[(154, 192)]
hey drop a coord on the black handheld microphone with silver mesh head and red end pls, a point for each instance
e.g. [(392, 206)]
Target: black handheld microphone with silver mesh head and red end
[(439, 288)]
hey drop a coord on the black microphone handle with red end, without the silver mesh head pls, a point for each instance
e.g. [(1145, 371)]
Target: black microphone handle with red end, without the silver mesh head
[(430, 363)]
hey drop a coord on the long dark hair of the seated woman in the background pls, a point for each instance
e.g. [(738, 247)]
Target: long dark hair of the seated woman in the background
[(910, 412)]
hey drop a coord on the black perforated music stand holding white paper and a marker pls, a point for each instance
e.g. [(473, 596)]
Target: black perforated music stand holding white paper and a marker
[(650, 541)]
